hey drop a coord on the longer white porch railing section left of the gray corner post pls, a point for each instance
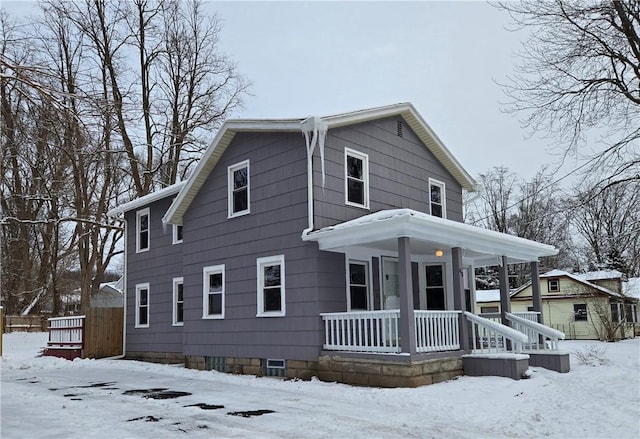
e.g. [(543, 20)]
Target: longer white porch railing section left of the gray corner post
[(362, 331)]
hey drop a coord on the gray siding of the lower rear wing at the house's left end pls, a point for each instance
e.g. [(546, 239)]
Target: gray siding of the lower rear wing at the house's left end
[(157, 266)]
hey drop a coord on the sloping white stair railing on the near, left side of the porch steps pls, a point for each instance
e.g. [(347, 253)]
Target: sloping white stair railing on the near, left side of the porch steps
[(490, 337)]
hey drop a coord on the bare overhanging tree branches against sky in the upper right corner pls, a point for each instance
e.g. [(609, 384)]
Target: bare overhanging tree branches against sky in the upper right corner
[(580, 70)]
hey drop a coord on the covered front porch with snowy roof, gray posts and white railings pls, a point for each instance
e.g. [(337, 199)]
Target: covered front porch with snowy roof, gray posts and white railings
[(410, 288)]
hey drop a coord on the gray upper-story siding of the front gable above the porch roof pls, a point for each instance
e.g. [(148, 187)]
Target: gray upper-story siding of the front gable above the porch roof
[(399, 172)]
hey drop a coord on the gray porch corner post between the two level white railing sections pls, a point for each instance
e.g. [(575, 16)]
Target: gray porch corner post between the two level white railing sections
[(407, 319)]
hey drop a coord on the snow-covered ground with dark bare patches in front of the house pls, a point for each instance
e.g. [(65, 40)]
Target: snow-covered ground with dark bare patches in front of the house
[(45, 397)]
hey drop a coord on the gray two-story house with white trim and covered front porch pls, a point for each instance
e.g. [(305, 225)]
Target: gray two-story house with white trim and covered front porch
[(328, 246)]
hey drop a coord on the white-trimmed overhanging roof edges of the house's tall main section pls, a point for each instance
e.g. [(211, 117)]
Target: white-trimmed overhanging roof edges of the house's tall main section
[(230, 127)]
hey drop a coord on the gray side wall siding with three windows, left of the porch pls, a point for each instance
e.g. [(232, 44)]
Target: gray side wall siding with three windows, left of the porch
[(278, 206)]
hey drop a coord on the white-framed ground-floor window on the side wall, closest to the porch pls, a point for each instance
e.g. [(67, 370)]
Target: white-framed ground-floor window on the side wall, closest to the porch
[(271, 288)]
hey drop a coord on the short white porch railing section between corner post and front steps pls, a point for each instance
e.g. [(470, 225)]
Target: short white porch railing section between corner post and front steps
[(437, 331)]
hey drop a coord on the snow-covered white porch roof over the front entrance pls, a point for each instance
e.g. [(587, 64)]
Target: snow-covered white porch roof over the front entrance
[(381, 230)]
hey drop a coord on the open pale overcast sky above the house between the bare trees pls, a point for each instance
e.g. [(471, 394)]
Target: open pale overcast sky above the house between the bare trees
[(321, 58)]
